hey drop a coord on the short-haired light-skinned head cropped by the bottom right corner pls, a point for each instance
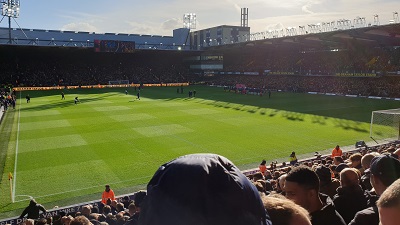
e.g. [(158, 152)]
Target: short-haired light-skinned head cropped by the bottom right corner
[(389, 204)]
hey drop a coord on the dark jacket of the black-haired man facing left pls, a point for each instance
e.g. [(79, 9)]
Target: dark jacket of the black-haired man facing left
[(327, 215)]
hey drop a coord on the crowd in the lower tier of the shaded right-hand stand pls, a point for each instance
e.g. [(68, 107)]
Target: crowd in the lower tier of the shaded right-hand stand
[(386, 86)]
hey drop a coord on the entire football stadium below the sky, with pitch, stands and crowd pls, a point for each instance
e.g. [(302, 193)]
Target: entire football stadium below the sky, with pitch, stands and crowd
[(82, 110)]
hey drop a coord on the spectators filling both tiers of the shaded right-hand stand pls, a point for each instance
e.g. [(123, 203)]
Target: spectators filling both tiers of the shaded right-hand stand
[(315, 71)]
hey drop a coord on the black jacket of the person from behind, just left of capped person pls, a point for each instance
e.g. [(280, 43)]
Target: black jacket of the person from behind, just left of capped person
[(349, 200)]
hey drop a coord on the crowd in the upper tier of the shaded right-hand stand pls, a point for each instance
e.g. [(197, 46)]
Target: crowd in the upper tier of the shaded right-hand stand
[(319, 62)]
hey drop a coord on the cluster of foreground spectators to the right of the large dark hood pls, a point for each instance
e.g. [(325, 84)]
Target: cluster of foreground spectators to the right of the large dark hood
[(348, 183)]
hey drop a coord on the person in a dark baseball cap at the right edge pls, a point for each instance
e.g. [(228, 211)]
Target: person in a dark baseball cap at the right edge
[(384, 171)]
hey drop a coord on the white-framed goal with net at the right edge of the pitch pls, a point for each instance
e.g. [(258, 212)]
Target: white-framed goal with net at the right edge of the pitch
[(385, 125)]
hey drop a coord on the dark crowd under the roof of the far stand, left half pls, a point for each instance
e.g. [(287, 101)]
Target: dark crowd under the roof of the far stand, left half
[(29, 66)]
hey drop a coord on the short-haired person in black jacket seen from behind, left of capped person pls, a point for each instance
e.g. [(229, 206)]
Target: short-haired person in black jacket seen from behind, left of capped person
[(350, 197)]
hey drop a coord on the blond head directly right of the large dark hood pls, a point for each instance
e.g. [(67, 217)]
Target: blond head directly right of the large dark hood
[(283, 211)]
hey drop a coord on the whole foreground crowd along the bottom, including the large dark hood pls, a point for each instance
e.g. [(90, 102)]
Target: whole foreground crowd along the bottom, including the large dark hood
[(208, 189)]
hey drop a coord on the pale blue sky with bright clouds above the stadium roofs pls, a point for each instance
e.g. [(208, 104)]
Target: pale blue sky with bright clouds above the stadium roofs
[(160, 17)]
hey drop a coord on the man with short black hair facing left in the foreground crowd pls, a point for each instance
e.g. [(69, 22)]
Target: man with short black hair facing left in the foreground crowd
[(302, 187)]
